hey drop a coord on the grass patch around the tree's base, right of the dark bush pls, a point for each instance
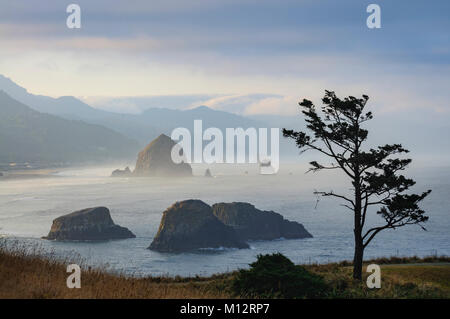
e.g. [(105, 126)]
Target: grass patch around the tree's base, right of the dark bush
[(401, 278)]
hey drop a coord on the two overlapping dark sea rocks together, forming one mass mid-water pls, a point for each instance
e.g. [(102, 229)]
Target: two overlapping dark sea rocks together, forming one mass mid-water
[(193, 224)]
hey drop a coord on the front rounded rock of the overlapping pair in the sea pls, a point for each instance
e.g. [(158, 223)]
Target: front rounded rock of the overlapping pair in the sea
[(191, 225)]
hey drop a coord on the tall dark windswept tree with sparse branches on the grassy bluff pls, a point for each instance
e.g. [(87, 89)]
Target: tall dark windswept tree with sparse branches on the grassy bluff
[(374, 174)]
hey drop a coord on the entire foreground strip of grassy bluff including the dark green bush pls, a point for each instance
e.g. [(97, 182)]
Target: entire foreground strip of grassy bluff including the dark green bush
[(26, 274)]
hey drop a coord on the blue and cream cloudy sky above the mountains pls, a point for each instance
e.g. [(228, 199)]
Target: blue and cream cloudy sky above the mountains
[(245, 56)]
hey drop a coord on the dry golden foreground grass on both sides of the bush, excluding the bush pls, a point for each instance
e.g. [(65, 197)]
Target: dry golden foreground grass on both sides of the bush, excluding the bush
[(28, 275)]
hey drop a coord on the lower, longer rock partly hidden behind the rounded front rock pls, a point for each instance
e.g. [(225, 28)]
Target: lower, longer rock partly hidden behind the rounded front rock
[(253, 224)]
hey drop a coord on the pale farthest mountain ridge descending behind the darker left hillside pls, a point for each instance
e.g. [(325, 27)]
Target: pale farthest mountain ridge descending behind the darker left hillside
[(141, 127)]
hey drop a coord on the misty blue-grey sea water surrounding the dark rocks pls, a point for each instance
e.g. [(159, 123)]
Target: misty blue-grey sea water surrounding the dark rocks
[(28, 207)]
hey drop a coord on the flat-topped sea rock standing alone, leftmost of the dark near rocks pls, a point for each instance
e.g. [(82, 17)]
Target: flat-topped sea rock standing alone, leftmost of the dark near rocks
[(87, 224)]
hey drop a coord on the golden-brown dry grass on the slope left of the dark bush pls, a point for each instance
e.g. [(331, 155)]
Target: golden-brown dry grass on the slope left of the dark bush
[(25, 274)]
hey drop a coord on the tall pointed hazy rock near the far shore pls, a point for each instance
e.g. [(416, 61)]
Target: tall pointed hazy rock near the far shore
[(155, 160)]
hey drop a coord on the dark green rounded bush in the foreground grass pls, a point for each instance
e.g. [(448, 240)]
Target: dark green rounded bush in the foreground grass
[(275, 276)]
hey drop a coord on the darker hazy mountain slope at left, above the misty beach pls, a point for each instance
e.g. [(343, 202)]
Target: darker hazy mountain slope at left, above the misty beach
[(30, 136)]
